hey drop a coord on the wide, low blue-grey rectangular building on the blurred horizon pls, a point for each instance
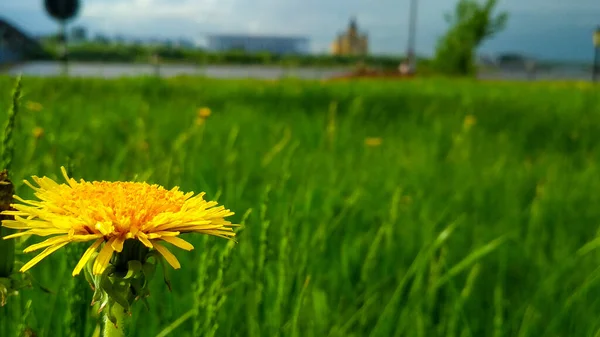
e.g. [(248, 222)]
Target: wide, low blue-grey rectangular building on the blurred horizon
[(278, 45)]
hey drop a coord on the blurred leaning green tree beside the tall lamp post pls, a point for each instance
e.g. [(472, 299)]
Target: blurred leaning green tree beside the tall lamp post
[(471, 23)]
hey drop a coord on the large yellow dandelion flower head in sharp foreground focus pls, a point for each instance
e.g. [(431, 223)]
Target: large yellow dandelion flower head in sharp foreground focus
[(109, 213)]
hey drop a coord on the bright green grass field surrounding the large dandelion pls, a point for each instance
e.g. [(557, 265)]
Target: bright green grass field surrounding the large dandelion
[(441, 230)]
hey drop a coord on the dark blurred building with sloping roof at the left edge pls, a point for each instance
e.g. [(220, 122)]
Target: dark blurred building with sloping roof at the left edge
[(15, 45)]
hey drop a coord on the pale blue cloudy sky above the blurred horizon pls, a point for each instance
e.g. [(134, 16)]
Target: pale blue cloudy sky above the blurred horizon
[(546, 29)]
